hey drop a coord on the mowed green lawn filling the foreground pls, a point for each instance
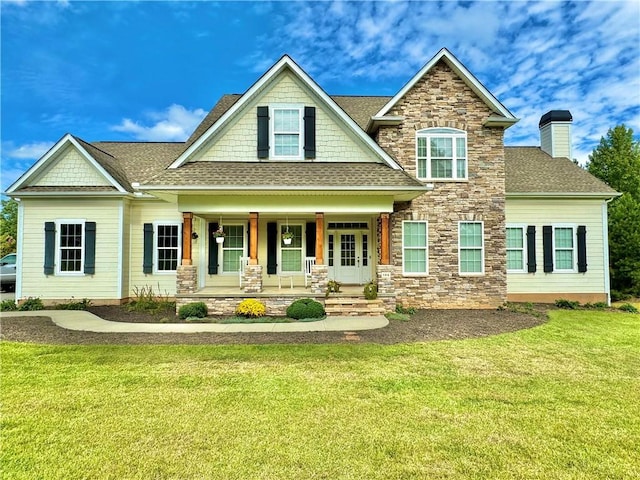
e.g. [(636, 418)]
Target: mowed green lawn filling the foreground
[(561, 401)]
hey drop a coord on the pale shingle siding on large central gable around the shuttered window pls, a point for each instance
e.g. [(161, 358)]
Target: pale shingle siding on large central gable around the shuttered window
[(238, 143)]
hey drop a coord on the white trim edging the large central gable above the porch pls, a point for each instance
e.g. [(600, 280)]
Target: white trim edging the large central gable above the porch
[(284, 67)]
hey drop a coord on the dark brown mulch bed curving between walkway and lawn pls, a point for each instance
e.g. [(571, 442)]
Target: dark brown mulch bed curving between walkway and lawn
[(424, 326)]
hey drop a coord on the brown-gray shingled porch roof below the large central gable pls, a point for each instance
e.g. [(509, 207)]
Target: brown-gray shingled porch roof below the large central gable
[(255, 175)]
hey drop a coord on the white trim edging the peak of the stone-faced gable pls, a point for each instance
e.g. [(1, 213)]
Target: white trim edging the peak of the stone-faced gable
[(502, 117)]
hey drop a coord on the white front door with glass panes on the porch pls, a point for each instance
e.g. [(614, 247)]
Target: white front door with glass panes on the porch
[(351, 262)]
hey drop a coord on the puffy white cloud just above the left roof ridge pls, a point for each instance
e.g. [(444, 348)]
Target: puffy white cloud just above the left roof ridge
[(174, 124)]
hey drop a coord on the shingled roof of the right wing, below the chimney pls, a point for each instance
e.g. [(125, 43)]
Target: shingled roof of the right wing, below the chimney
[(530, 170)]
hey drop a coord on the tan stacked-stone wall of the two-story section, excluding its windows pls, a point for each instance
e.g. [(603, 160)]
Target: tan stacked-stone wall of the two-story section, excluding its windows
[(441, 99)]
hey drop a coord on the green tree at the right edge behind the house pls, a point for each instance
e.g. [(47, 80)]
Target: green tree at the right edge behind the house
[(616, 161)]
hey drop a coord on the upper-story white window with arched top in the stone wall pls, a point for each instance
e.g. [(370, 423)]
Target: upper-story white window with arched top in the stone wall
[(441, 154)]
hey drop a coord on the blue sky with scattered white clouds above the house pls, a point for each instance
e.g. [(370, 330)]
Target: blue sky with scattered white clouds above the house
[(152, 70)]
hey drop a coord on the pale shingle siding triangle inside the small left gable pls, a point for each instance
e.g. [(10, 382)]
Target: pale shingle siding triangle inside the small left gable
[(72, 169)]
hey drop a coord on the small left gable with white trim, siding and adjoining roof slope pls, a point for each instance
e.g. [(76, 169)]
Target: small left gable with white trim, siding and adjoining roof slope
[(69, 163)]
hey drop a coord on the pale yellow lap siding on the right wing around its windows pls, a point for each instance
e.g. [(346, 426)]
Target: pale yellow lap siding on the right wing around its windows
[(540, 212)]
